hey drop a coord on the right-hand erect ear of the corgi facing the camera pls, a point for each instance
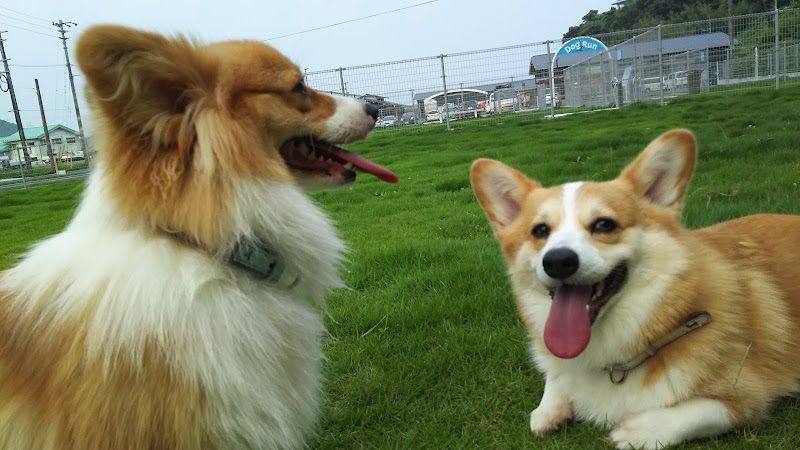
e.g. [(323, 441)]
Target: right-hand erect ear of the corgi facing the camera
[(661, 173)]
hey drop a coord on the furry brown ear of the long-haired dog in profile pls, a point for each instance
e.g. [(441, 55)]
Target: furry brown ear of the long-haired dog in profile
[(137, 78)]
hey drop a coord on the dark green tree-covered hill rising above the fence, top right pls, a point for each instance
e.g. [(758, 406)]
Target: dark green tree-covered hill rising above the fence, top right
[(646, 13)]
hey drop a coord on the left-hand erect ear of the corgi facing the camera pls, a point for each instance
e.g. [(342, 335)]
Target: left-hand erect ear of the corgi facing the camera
[(500, 190)]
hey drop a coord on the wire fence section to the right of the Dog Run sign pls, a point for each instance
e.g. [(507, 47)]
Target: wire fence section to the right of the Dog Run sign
[(690, 58)]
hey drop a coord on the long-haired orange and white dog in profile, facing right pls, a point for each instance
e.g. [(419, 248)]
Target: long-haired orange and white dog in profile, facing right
[(179, 309)]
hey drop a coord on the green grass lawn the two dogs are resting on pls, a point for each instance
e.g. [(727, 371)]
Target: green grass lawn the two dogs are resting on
[(426, 349)]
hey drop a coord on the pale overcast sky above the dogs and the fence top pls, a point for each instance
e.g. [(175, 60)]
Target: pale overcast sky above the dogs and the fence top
[(432, 27)]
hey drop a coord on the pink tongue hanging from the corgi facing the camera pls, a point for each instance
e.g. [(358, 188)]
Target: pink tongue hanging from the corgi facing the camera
[(568, 328)]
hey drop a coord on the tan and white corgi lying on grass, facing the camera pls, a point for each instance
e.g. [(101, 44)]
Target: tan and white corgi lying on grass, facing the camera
[(664, 334)]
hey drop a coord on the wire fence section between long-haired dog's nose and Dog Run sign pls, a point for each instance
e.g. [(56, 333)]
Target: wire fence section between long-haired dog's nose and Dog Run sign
[(440, 89)]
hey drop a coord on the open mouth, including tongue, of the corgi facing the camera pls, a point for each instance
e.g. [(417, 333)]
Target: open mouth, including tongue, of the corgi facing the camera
[(574, 310)]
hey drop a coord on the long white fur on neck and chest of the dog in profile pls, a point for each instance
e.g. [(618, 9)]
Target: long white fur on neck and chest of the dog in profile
[(253, 347)]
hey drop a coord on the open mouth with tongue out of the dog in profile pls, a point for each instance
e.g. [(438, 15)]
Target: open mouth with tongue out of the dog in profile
[(308, 154)]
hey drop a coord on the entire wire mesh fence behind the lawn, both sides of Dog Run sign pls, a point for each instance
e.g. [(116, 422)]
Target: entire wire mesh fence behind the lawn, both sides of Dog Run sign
[(649, 64)]
